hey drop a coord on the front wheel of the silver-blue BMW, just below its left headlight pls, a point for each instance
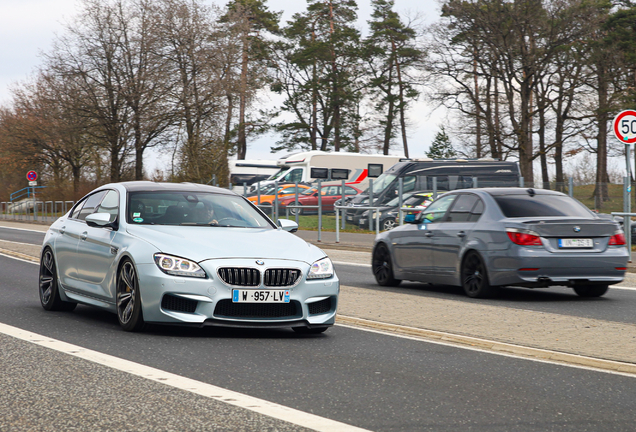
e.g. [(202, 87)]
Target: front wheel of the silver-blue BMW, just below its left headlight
[(129, 313)]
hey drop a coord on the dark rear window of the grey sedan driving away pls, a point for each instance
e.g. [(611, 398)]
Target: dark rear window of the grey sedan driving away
[(541, 205)]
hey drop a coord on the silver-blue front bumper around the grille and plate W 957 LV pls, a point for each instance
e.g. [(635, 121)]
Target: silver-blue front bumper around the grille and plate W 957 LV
[(186, 300)]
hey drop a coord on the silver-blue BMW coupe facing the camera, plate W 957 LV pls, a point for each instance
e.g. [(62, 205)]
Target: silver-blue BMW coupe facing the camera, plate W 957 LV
[(185, 254)]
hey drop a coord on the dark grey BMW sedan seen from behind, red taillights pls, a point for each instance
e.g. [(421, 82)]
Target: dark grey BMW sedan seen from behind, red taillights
[(482, 239)]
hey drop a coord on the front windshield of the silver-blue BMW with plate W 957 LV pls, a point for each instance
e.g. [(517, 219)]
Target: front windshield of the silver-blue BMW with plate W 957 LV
[(192, 208)]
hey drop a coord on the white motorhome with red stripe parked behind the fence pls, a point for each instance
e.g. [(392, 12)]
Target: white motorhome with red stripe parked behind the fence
[(297, 167)]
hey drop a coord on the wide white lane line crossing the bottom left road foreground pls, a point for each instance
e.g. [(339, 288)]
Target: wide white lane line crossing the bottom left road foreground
[(260, 406)]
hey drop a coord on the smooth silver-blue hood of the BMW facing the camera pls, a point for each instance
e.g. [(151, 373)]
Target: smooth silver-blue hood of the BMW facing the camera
[(200, 243)]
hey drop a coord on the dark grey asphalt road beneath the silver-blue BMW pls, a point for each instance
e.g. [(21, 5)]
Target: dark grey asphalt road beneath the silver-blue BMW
[(374, 381)]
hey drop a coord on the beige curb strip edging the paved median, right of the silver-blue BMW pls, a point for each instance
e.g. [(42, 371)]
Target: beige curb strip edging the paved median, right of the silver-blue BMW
[(502, 347)]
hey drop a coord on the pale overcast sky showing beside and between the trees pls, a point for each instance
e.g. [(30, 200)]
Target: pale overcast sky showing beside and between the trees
[(27, 27)]
